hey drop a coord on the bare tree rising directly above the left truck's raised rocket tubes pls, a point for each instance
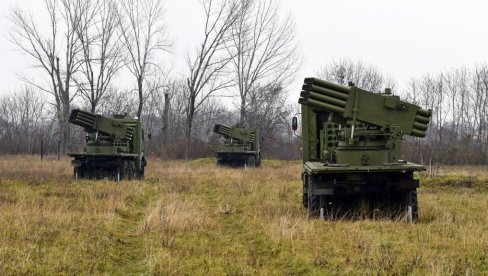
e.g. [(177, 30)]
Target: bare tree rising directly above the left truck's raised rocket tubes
[(101, 54)]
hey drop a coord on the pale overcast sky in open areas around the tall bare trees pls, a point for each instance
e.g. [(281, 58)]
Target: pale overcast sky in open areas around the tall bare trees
[(403, 39)]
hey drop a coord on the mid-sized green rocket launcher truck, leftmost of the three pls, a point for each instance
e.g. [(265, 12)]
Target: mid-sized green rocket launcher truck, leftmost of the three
[(114, 147)]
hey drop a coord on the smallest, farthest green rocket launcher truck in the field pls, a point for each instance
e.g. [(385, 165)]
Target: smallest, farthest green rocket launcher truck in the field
[(241, 147)]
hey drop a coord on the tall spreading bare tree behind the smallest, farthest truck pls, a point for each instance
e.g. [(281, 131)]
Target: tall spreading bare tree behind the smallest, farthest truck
[(263, 49)]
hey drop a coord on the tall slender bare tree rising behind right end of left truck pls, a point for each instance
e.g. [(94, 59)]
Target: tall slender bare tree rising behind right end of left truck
[(143, 33)]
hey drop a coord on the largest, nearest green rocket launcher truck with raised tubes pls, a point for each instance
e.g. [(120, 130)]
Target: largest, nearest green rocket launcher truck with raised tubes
[(352, 156)]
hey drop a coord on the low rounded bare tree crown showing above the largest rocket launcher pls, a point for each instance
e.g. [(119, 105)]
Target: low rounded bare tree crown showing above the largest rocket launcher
[(362, 75)]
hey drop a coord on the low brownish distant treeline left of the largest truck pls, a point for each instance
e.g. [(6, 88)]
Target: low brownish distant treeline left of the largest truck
[(26, 118)]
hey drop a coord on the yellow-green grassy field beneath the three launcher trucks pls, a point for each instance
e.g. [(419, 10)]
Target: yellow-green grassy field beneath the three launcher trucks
[(194, 218)]
